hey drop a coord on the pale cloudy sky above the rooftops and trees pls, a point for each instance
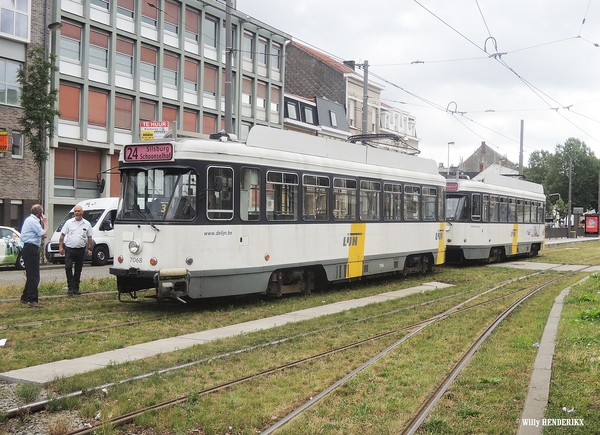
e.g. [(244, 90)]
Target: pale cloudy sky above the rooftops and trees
[(470, 71)]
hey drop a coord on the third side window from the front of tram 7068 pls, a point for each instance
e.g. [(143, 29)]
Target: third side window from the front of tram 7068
[(282, 196)]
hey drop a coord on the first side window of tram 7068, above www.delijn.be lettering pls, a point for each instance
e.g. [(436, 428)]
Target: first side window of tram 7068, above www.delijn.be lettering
[(220, 193)]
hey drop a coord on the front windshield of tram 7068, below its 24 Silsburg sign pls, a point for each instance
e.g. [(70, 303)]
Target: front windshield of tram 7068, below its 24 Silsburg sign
[(158, 195)]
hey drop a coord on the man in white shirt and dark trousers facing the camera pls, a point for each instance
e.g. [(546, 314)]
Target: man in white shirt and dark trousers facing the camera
[(75, 241)]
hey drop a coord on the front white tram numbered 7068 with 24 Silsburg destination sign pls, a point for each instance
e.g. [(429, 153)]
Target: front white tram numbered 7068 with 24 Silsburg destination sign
[(282, 212)]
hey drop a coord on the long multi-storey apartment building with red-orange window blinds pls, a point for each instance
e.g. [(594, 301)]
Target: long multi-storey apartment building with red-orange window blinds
[(123, 62)]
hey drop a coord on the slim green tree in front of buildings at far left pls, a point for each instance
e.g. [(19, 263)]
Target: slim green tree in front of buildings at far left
[(38, 101)]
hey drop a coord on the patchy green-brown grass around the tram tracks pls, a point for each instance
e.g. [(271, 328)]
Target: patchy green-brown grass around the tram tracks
[(487, 398)]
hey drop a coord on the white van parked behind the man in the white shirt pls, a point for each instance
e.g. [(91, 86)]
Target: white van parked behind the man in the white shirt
[(101, 213)]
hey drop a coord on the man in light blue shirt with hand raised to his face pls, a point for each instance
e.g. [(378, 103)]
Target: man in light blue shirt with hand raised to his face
[(34, 229)]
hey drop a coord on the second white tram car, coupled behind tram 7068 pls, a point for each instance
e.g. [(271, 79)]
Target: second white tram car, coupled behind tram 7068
[(494, 218)]
